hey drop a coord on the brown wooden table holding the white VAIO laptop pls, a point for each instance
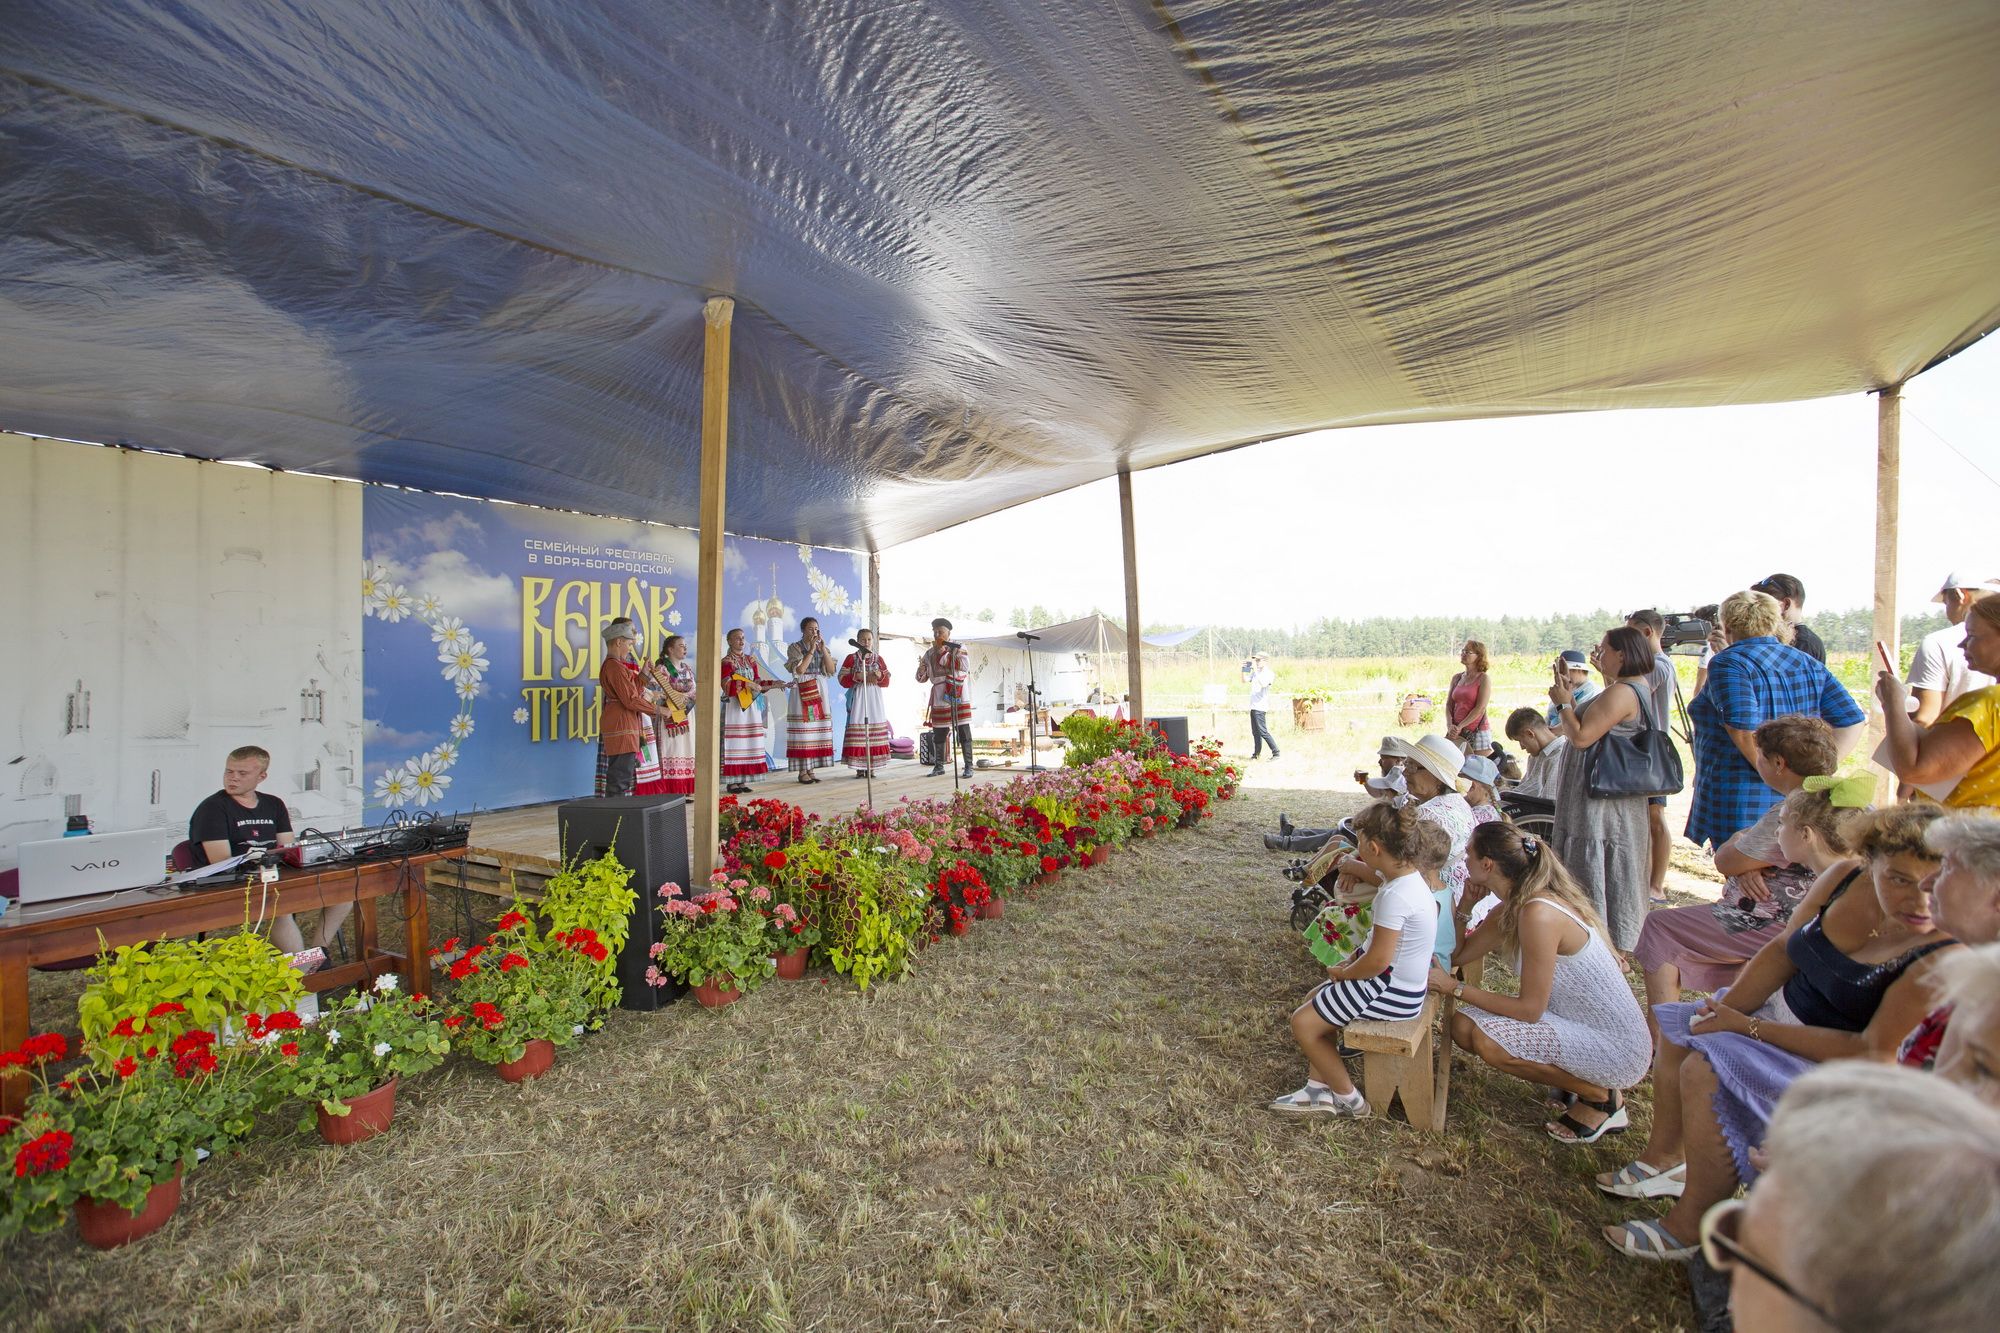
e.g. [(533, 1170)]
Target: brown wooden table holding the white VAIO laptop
[(73, 930)]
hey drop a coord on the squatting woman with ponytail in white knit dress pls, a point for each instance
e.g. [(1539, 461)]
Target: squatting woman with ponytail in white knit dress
[(1575, 1026)]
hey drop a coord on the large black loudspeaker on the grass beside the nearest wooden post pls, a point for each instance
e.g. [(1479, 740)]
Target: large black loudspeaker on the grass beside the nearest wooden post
[(651, 838)]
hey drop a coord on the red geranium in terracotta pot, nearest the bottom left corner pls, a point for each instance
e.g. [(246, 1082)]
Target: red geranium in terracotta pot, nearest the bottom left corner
[(111, 1140)]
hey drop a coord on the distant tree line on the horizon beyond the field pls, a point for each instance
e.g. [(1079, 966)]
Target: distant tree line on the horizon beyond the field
[(1845, 631)]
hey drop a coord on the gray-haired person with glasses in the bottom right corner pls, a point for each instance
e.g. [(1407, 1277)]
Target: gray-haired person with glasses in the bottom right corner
[(1881, 1210)]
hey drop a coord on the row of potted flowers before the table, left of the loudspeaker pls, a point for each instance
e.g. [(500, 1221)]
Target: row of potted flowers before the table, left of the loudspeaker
[(177, 1078)]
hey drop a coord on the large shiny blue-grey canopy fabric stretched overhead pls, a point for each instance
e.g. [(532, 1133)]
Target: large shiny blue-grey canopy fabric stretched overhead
[(981, 249)]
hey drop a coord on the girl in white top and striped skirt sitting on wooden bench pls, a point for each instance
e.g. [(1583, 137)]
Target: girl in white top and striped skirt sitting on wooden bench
[(1387, 980)]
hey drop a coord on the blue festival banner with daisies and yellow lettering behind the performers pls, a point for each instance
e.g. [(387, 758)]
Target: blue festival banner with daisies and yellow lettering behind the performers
[(483, 639)]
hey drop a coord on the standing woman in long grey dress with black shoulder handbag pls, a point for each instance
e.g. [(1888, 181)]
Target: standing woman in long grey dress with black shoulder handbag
[(1617, 756)]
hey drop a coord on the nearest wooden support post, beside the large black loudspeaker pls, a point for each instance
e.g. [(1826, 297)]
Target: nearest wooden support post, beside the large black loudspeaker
[(705, 832)]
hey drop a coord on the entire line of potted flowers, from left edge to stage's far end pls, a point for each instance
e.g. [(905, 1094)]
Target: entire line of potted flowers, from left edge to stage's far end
[(189, 1044)]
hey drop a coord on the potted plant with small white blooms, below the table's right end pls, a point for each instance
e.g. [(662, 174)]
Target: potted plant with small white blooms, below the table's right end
[(353, 1058)]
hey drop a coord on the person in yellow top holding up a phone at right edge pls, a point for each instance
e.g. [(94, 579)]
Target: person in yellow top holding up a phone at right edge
[(1959, 756)]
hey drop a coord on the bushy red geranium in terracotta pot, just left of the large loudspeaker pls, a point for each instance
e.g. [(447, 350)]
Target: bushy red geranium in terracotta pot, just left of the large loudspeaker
[(519, 996)]
